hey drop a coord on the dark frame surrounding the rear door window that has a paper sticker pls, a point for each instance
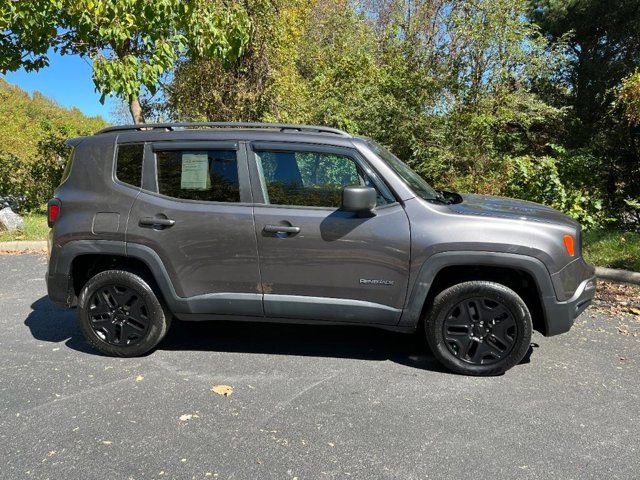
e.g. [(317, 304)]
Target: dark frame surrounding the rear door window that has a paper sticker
[(151, 187)]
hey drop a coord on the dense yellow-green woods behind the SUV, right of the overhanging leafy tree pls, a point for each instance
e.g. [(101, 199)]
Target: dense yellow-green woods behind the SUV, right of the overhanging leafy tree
[(477, 95)]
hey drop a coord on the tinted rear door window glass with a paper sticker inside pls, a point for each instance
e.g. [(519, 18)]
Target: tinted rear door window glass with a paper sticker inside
[(205, 175)]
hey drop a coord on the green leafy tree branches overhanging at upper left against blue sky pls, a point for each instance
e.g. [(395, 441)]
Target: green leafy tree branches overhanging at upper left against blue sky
[(132, 43)]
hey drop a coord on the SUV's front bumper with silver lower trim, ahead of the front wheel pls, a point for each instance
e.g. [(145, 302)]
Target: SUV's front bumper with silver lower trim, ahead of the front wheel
[(560, 315)]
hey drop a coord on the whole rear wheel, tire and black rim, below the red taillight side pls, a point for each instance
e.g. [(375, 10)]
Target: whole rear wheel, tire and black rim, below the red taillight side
[(120, 315)]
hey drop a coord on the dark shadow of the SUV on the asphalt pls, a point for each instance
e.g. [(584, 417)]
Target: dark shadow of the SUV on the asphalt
[(49, 323)]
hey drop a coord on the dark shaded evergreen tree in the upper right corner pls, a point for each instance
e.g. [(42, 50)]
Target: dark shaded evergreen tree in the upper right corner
[(604, 49)]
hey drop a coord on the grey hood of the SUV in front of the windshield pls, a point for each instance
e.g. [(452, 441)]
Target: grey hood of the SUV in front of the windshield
[(502, 207)]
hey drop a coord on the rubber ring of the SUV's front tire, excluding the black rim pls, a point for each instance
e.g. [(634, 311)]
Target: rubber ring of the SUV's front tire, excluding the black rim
[(446, 299)]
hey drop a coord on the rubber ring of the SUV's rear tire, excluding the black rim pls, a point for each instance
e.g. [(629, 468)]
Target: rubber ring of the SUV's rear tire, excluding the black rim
[(158, 324)]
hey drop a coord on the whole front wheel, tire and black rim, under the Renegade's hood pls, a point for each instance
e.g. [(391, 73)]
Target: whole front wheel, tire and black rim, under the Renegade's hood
[(478, 328)]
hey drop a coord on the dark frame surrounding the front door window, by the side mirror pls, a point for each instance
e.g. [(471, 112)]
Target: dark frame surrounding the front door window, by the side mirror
[(256, 184)]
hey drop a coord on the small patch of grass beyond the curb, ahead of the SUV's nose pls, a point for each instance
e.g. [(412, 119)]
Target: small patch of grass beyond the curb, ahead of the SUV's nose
[(613, 249)]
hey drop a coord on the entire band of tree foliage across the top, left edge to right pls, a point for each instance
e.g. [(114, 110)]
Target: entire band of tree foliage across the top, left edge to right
[(533, 98)]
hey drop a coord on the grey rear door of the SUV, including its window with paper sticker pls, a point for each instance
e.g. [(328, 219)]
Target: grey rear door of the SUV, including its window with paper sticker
[(195, 214)]
